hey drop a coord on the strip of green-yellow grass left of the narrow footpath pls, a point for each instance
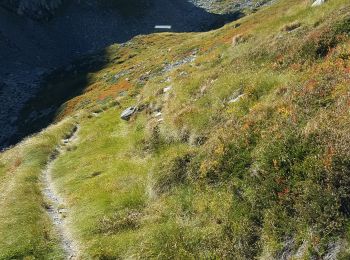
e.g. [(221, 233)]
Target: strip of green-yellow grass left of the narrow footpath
[(26, 231)]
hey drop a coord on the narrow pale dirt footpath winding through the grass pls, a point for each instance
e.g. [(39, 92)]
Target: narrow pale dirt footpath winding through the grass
[(56, 207)]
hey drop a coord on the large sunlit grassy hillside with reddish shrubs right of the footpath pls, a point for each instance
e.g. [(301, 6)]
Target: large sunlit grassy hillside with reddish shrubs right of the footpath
[(262, 176)]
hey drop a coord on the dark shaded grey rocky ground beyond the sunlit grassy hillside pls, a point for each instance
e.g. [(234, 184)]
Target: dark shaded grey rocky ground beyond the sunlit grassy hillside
[(31, 47)]
